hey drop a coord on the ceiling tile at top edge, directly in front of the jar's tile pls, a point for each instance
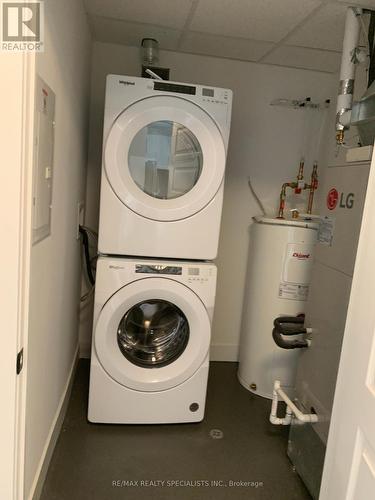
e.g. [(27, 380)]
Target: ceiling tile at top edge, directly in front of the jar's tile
[(170, 13)]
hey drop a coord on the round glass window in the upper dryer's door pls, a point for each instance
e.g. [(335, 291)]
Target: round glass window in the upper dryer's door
[(165, 159)]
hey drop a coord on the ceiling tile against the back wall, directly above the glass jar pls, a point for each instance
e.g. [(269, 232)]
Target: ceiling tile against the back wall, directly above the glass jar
[(113, 31)]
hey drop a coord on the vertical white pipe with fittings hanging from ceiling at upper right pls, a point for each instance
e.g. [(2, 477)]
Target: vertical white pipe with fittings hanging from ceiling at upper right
[(347, 72)]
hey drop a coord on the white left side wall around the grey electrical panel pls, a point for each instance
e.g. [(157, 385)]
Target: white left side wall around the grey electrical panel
[(55, 261)]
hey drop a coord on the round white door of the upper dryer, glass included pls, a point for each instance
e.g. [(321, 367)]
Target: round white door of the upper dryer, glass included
[(164, 158)]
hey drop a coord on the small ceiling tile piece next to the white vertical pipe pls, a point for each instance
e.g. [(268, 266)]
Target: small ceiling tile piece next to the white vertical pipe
[(324, 30)]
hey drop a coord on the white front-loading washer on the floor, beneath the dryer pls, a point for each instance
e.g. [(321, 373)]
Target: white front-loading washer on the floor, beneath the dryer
[(150, 347)]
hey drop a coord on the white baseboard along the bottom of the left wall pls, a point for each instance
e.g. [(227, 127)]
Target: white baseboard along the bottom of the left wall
[(53, 434)]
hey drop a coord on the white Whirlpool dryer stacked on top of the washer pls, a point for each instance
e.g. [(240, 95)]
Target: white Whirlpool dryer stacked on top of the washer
[(164, 154)]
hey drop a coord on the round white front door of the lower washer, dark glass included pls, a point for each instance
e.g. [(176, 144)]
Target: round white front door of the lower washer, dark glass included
[(153, 334)]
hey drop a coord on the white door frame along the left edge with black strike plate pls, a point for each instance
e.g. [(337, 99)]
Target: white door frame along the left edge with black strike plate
[(17, 98)]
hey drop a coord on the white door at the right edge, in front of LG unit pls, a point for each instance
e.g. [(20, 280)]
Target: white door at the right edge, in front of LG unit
[(349, 469)]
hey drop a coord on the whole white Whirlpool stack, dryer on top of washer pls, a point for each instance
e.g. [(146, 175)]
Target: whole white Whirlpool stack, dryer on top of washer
[(164, 155)]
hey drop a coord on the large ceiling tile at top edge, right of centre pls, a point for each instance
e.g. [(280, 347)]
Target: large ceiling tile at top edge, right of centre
[(267, 20)]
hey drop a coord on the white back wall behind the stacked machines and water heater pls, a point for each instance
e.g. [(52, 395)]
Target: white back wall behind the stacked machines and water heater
[(265, 144)]
